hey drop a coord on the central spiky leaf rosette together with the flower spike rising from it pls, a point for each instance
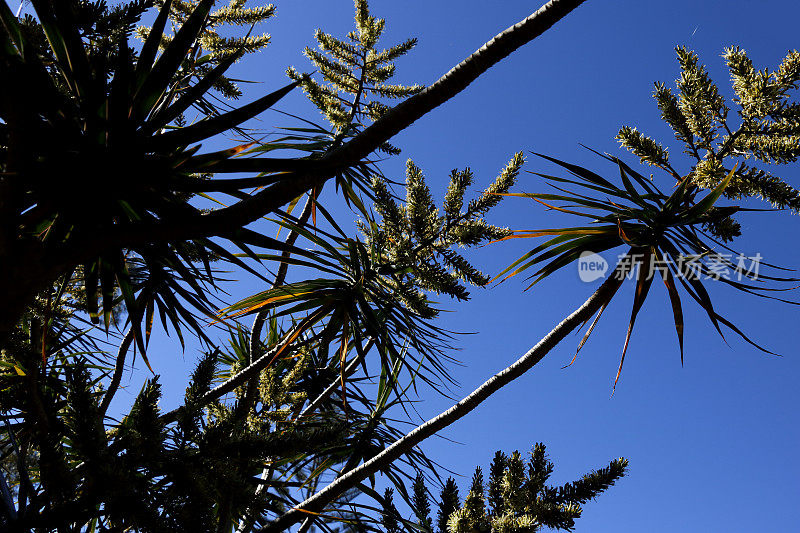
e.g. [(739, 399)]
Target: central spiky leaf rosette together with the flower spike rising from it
[(377, 288)]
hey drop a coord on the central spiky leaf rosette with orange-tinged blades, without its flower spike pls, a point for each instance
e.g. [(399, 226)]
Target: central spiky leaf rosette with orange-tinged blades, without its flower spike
[(355, 306)]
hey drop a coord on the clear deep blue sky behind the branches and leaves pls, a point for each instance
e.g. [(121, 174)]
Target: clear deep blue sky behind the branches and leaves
[(713, 445)]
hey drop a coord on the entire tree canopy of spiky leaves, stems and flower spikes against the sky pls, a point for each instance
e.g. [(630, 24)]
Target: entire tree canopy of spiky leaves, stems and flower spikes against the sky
[(117, 222)]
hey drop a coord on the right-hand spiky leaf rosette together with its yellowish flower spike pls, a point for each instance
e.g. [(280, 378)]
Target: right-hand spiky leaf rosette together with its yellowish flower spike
[(682, 238)]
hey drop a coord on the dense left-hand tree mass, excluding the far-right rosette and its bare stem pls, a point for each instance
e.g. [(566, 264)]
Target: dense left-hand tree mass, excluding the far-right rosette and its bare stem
[(104, 239)]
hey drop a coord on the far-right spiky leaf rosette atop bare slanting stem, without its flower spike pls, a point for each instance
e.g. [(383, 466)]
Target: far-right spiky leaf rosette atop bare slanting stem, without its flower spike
[(663, 234)]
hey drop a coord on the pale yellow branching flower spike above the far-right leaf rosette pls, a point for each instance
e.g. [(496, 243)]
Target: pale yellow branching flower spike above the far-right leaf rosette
[(764, 130)]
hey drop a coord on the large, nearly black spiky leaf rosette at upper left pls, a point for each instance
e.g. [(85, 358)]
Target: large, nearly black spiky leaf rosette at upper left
[(91, 157)]
